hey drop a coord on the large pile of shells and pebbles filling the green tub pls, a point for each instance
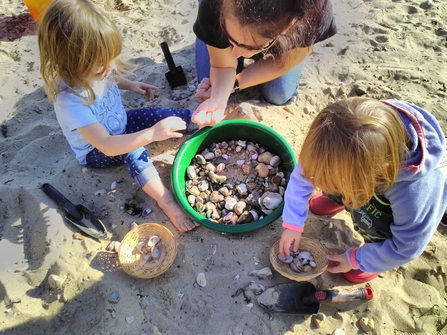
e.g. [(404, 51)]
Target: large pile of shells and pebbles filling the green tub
[(235, 182)]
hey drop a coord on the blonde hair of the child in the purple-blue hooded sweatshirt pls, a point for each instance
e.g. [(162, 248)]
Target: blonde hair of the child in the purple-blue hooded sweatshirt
[(354, 147)]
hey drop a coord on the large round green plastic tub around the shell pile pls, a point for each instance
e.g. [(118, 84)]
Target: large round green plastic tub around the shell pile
[(225, 131)]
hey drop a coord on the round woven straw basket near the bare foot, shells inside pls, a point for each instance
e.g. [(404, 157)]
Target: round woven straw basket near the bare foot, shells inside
[(128, 255)]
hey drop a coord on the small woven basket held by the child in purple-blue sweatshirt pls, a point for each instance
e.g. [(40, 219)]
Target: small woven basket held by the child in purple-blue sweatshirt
[(316, 249)]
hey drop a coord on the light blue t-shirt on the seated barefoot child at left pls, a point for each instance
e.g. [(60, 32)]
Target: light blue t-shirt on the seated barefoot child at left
[(72, 114)]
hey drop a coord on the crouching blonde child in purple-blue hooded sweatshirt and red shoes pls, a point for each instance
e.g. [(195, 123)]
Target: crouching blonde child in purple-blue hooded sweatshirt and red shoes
[(380, 160)]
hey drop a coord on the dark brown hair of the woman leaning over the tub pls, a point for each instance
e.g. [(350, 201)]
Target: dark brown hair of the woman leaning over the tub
[(269, 18)]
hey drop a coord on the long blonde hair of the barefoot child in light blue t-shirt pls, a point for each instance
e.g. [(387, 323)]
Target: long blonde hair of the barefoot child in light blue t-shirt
[(74, 37)]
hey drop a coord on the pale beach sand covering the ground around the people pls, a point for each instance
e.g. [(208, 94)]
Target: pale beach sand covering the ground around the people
[(384, 49)]
